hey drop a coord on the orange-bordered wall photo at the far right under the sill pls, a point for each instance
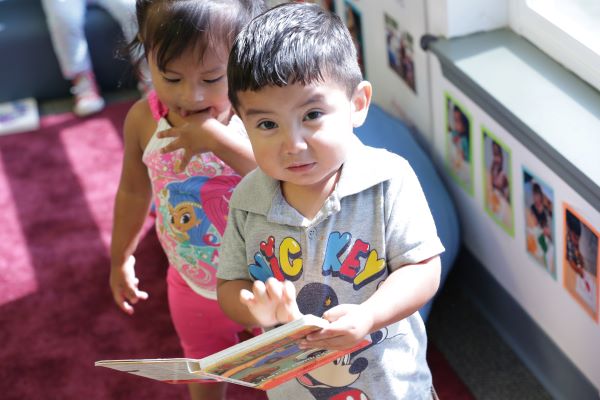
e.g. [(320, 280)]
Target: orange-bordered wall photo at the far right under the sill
[(580, 263)]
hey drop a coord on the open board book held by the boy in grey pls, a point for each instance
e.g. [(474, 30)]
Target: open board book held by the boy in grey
[(262, 362)]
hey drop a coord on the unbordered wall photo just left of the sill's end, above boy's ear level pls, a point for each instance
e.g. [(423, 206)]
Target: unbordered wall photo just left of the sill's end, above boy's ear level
[(400, 51)]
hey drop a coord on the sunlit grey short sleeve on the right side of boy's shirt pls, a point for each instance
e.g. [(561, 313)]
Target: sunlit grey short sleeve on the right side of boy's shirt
[(411, 235)]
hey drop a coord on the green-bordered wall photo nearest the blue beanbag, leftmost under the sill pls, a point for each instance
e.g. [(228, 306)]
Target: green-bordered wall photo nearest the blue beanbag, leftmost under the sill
[(459, 149)]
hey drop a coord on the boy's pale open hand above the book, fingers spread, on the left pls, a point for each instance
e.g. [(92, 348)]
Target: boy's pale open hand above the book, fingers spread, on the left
[(271, 303)]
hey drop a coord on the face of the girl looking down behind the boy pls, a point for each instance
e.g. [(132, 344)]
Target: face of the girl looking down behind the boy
[(188, 86)]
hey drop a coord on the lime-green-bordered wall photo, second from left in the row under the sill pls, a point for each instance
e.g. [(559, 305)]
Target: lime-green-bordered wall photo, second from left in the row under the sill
[(497, 181)]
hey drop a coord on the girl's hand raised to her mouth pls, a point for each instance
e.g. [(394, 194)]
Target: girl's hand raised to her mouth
[(199, 135)]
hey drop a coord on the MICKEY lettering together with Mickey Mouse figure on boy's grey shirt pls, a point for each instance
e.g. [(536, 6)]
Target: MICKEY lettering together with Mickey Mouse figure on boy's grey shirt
[(350, 260)]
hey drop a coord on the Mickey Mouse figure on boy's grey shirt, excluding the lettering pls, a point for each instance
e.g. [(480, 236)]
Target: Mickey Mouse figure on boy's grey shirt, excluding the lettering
[(332, 380)]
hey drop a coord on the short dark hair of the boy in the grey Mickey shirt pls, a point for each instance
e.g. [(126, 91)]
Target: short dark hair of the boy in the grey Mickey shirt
[(292, 43)]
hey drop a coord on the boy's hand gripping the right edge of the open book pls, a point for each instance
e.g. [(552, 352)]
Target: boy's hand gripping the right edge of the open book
[(350, 323)]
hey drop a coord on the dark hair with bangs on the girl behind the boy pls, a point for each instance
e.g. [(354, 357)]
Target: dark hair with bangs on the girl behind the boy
[(171, 27)]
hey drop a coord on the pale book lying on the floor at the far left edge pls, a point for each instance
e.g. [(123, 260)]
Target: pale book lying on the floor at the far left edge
[(19, 116)]
